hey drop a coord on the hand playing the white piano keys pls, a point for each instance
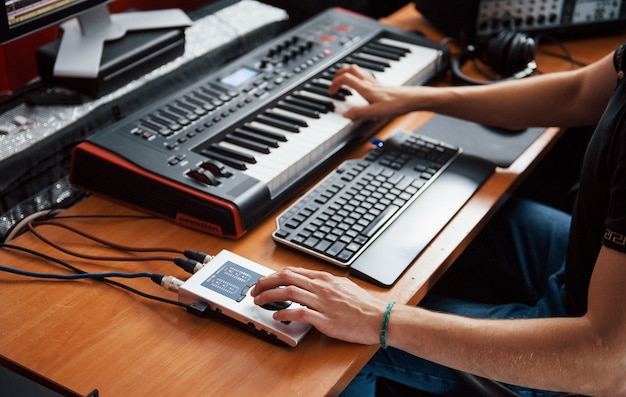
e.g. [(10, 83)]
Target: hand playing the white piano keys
[(383, 101)]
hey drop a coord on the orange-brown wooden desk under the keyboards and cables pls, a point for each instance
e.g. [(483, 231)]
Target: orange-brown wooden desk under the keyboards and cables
[(87, 335)]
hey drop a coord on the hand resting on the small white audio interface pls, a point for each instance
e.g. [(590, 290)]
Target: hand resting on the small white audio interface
[(334, 305)]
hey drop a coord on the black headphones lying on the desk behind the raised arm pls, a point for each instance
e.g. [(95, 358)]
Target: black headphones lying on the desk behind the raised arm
[(509, 53)]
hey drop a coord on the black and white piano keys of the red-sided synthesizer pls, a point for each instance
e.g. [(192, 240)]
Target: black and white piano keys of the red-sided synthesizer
[(306, 124)]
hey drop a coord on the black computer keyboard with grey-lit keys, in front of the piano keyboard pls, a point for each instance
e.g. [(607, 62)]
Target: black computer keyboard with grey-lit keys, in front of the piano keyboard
[(340, 217)]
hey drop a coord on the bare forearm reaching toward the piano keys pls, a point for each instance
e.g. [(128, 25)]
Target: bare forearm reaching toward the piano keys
[(574, 98)]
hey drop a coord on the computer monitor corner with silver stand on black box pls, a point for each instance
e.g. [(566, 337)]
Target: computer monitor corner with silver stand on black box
[(80, 50)]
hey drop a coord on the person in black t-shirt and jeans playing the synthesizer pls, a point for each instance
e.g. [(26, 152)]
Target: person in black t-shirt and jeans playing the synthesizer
[(558, 321)]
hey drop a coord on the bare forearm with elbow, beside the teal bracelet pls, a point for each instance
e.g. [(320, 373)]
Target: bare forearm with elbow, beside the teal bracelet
[(562, 354)]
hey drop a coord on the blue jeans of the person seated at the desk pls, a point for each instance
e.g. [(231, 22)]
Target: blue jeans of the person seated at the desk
[(514, 269)]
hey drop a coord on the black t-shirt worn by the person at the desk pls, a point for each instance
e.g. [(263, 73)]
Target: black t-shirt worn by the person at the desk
[(599, 215)]
